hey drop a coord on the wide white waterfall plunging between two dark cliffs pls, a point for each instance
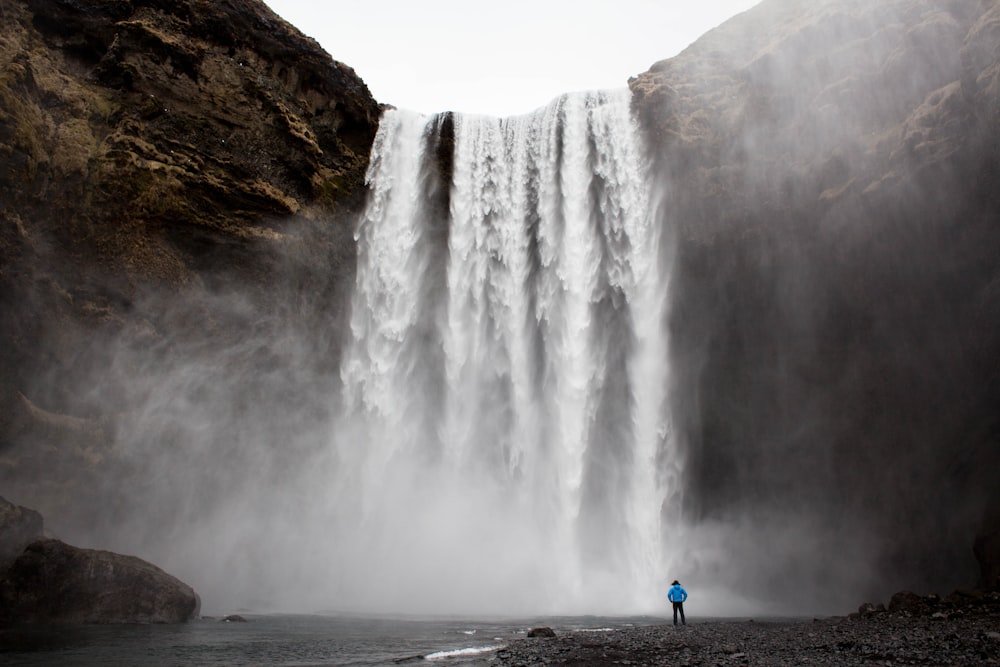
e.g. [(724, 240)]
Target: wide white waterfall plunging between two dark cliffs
[(503, 426)]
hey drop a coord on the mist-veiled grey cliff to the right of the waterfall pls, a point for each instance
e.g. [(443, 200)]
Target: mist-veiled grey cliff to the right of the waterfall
[(832, 171)]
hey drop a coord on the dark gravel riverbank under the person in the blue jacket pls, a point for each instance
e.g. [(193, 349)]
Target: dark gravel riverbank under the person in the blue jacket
[(959, 630)]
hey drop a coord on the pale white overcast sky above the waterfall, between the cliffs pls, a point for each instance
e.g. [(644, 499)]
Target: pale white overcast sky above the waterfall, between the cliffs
[(502, 57)]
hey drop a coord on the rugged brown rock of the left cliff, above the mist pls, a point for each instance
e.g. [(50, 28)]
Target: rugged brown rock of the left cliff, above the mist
[(147, 144)]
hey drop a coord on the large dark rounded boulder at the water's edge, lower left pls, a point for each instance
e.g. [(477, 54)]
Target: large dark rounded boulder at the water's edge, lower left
[(53, 582)]
